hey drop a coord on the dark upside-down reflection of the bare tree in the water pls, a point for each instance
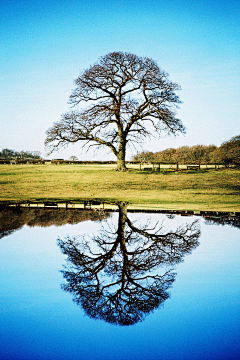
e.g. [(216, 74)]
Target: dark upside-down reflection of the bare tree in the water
[(122, 275)]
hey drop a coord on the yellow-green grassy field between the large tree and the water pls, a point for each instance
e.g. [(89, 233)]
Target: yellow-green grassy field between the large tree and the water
[(213, 190)]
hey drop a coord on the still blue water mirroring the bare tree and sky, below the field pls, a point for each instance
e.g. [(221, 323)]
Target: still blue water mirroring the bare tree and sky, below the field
[(87, 285)]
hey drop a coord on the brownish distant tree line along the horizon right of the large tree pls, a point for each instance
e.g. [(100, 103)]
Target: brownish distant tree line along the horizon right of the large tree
[(228, 154)]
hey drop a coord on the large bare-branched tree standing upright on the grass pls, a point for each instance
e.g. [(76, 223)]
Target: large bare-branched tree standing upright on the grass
[(117, 102)]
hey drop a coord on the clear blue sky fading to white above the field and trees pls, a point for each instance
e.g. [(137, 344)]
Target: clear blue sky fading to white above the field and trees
[(46, 44)]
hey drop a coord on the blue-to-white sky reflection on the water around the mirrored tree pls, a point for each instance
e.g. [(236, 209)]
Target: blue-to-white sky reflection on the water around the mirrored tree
[(200, 320)]
